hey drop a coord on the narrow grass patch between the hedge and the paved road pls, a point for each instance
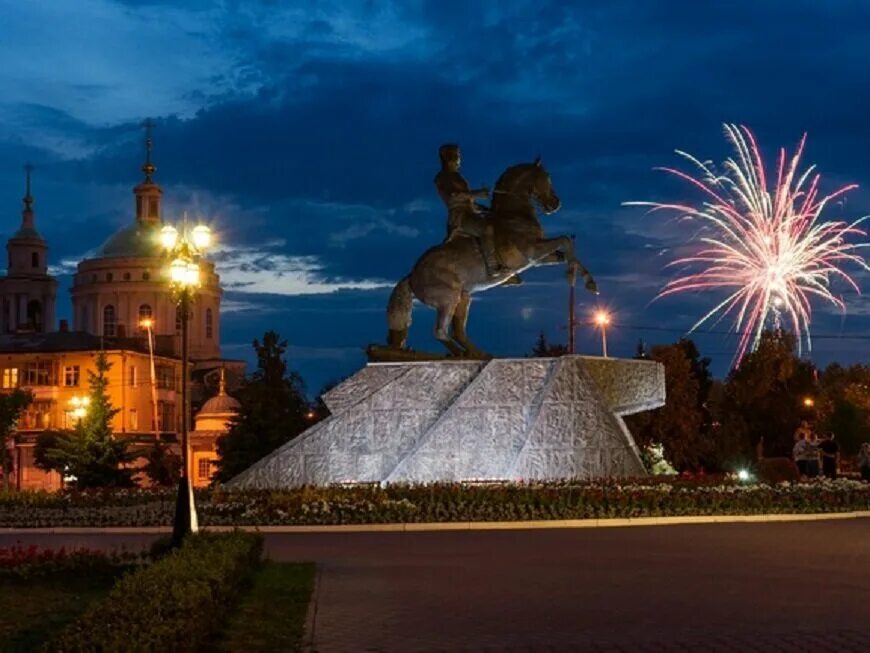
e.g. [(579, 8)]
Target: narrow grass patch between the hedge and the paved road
[(271, 612)]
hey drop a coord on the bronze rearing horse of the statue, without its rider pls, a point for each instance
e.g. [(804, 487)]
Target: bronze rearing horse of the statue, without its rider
[(446, 275)]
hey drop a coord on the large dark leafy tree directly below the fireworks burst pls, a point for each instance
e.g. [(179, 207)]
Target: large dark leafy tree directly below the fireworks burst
[(763, 396)]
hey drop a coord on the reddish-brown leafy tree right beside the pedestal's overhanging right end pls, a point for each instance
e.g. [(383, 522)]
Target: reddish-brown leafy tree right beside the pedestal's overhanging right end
[(676, 426)]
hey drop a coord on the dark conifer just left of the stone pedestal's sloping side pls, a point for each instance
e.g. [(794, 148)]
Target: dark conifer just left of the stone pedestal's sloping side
[(272, 412)]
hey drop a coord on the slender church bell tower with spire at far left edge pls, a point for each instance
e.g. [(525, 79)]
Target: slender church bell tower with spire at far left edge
[(27, 292)]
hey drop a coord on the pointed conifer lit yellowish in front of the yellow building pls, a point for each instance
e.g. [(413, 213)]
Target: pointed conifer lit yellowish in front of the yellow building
[(89, 454)]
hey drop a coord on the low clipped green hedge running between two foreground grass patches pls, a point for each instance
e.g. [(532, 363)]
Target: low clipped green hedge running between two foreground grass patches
[(175, 604)]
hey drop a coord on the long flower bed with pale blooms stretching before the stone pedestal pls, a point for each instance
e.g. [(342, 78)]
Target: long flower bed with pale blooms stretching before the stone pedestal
[(437, 503)]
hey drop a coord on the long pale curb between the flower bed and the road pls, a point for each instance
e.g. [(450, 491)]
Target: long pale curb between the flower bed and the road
[(461, 526)]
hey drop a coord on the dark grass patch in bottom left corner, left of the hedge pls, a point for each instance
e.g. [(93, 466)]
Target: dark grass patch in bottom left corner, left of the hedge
[(32, 611)]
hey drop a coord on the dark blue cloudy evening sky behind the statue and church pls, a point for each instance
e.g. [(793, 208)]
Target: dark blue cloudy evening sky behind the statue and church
[(309, 138)]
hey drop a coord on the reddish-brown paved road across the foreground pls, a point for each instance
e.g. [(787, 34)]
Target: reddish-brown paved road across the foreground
[(736, 587)]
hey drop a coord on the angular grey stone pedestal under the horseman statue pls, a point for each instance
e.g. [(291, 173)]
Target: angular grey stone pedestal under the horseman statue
[(501, 420)]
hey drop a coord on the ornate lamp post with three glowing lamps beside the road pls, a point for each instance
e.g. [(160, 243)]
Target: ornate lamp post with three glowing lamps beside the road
[(184, 250)]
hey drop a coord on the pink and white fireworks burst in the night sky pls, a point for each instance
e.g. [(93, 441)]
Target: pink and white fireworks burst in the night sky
[(768, 247)]
